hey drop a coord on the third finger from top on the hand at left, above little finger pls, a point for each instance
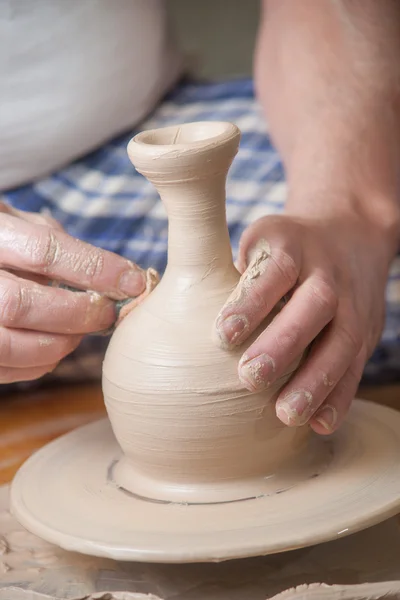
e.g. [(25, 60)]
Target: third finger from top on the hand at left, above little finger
[(28, 349)]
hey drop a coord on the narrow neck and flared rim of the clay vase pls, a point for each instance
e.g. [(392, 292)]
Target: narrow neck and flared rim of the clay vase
[(188, 165)]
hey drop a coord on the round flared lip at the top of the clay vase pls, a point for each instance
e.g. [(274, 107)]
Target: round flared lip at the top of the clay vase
[(183, 139)]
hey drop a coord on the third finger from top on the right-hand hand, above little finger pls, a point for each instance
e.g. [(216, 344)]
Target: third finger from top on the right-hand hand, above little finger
[(327, 363)]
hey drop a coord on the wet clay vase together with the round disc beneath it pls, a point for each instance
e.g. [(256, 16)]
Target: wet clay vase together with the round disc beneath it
[(191, 466)]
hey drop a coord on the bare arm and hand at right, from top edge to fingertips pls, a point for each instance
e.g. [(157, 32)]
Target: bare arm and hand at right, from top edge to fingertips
[(333, 247)]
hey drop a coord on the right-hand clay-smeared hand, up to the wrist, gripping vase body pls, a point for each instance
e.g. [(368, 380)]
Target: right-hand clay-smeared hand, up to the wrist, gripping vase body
[(335, 272)]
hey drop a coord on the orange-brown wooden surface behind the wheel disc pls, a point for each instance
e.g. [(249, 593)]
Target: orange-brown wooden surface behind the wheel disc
[(30, 420)]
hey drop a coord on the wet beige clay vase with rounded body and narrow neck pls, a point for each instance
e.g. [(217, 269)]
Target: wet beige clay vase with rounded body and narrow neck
[(188, 429)]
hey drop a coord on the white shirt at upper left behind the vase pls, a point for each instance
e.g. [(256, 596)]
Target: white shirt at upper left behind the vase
[(73, 74)]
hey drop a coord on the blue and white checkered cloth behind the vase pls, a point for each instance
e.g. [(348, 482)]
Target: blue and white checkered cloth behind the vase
[(101, 199)]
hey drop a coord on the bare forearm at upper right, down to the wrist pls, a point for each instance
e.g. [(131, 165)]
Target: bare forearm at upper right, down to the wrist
[(327, 75)]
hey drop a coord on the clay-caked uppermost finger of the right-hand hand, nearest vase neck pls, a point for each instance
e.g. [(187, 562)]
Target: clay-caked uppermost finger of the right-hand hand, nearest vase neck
[(270, 275)]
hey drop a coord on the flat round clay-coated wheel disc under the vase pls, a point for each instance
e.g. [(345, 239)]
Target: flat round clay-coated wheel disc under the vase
[(65, 494)]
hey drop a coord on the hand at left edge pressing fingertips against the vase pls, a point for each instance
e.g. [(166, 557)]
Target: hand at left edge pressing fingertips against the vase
[(40, 324)]
